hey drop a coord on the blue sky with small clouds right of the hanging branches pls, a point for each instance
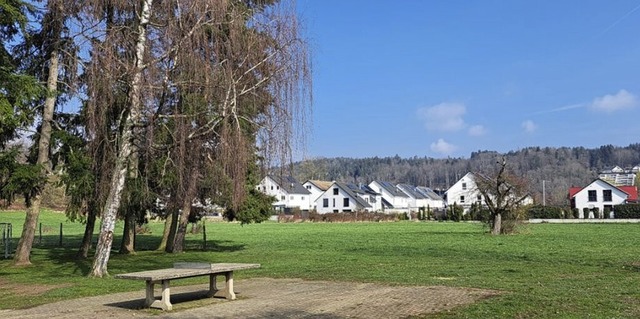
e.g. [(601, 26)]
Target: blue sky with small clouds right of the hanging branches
[(446, 78)]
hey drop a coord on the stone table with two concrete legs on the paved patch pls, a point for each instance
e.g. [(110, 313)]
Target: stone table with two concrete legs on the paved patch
[(186, 270)]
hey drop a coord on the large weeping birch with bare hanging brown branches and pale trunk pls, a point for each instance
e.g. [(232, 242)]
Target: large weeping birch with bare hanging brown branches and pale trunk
[(185, 93)]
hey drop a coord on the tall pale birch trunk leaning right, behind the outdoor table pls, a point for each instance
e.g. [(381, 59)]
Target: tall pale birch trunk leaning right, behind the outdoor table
[(105, 241)]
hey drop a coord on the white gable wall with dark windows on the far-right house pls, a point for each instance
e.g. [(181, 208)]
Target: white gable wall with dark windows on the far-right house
[(596, 194)]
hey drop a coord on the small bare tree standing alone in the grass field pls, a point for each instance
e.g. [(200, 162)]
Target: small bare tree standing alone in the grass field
[(503, 195)]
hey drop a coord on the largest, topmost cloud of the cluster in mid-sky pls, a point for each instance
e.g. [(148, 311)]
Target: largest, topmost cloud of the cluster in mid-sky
[(443, 117)]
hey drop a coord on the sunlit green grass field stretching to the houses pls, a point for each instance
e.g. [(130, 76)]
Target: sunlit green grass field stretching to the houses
[(545, 271)]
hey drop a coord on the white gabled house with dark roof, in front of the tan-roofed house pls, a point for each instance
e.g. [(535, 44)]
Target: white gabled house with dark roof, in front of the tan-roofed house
[(340, 198)]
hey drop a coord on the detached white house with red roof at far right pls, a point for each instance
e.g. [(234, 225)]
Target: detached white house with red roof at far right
[(600, 194)]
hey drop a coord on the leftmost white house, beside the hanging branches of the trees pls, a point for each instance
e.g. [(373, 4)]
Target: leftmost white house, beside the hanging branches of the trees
[(288, 192)]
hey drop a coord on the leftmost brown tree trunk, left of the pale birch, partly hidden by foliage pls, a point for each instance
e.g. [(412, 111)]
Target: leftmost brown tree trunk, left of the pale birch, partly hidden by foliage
[(23, 250)]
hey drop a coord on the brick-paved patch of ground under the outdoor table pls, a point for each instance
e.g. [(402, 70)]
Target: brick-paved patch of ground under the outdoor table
[(270, 298)]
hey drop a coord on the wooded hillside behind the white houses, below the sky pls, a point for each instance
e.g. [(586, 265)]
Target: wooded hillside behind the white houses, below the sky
[(560, 168)]
